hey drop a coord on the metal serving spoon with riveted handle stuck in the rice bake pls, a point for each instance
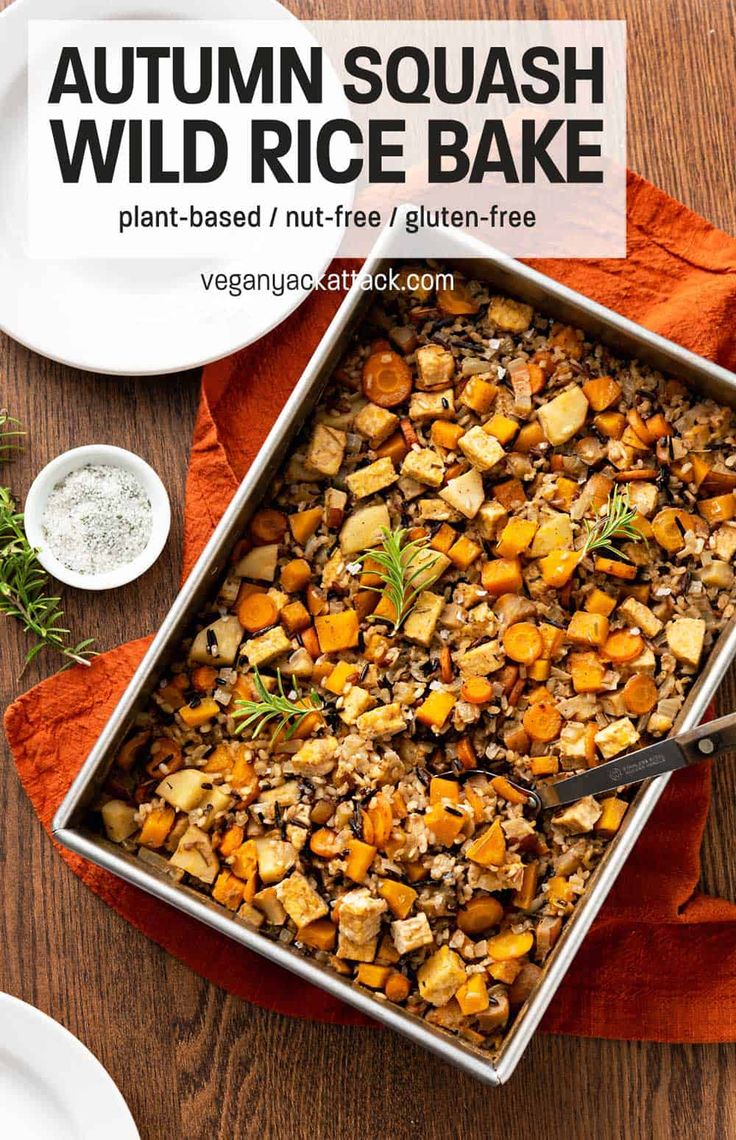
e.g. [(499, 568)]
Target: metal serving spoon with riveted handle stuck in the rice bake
[(708, 742)]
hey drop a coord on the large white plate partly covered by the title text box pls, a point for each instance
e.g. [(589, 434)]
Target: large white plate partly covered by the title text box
[(119, 316)]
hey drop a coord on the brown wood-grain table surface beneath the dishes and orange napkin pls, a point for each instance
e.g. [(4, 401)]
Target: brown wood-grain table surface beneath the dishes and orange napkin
[(192, 1061)]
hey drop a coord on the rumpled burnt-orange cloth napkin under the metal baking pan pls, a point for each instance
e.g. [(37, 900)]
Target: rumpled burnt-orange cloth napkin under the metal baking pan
[(660, 963)]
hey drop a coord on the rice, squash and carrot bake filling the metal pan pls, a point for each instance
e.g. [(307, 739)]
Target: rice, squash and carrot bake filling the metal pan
[(497, 555)]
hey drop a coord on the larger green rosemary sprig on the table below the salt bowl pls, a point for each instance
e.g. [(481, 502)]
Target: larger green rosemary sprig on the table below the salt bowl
[(24, 591)]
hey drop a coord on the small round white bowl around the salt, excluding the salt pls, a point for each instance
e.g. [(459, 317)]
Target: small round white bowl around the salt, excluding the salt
[(115, 458)]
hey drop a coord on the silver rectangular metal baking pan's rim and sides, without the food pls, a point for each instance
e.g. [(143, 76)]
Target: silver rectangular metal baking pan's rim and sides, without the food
[(70, 828)]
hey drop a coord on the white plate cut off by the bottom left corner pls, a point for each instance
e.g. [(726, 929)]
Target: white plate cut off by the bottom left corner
[(52, 1088)]
